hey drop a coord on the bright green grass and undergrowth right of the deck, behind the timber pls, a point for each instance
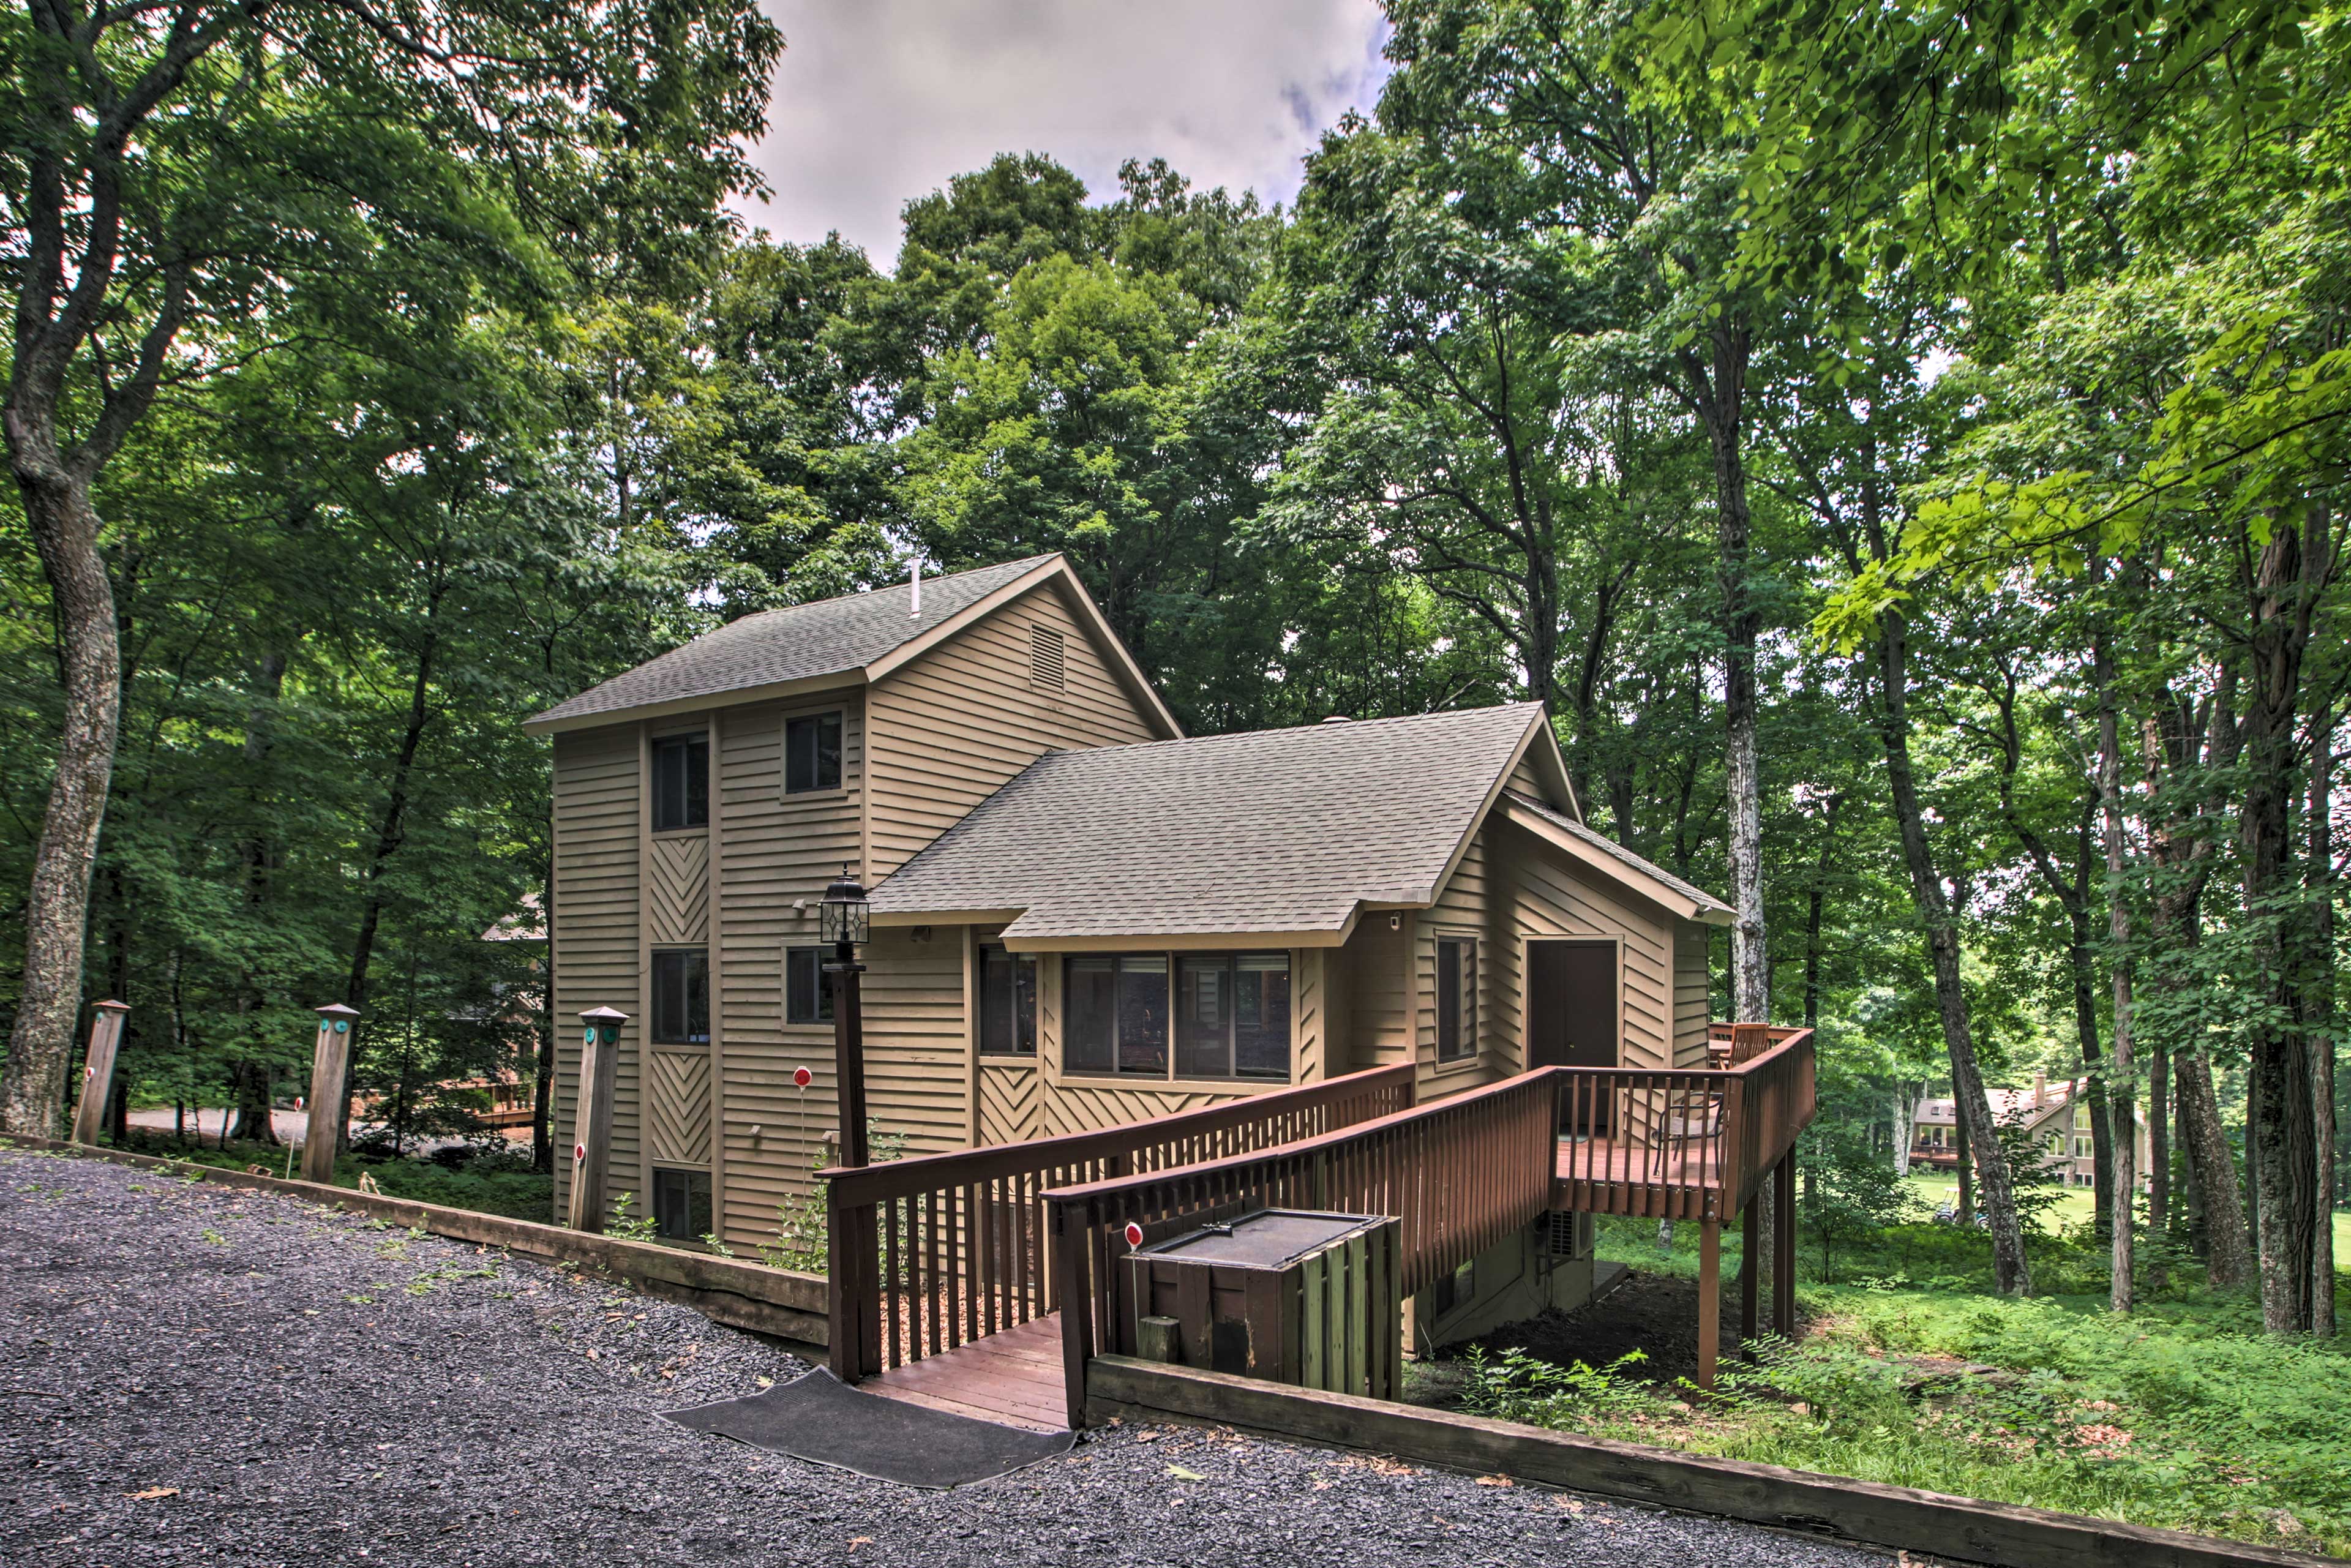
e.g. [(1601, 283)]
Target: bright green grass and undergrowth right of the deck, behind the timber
[(2181, 1414)]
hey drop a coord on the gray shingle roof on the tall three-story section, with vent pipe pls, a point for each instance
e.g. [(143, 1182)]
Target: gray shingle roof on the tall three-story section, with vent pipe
[(793, 643)]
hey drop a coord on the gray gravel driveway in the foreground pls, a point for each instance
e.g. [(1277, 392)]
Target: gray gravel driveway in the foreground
[(203, 1376)]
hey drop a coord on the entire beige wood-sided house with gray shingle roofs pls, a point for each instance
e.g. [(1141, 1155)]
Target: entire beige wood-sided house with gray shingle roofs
[(1080, 916)]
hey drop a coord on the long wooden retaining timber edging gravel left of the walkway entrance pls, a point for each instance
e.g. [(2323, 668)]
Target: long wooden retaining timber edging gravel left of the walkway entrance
[(728, 1292)]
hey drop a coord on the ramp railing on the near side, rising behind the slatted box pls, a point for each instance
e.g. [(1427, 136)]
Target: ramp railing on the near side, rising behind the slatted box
[(1461, 1174)]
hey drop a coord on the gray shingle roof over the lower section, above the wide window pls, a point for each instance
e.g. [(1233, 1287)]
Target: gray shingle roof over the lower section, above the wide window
[(1268, 831)]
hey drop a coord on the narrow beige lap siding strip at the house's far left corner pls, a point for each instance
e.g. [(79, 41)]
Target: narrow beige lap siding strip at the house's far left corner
[(596, 925)]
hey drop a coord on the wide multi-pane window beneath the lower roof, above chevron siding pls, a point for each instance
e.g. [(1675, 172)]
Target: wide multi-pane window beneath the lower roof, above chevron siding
[(1198, 1014)]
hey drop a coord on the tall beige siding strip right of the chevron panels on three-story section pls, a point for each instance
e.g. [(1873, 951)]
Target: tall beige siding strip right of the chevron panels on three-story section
[(775, 850)]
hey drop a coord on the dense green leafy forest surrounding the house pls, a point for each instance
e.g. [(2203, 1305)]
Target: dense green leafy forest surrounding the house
[(1903, 453)]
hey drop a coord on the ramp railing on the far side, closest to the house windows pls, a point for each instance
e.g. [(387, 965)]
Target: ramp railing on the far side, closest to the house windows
[(942, 1249)]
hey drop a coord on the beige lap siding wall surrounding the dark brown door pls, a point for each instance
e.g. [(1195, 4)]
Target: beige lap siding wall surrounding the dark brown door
[(1555, 897)]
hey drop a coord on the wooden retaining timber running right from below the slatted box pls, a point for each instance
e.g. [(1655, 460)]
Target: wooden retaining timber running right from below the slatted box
[(2000, 1534)]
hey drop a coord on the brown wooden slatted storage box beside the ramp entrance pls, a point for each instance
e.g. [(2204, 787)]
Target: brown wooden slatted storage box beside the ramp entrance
[(1280, 1294)]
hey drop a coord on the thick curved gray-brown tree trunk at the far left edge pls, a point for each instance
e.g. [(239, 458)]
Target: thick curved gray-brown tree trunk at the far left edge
[(58, 906)]
